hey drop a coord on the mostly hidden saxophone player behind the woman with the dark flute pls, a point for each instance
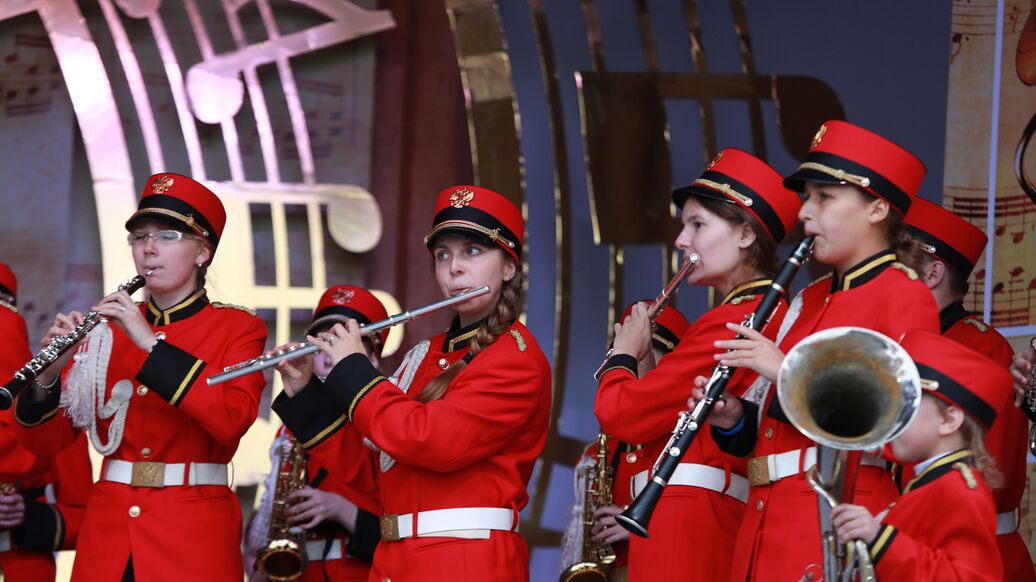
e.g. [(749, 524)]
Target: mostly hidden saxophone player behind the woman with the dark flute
[(626, 461)]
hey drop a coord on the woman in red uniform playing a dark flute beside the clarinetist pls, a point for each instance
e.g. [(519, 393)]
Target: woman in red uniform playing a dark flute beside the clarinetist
[(734, 217)]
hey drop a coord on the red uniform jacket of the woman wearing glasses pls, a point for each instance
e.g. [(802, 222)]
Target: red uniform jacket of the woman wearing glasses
[(172, 533)]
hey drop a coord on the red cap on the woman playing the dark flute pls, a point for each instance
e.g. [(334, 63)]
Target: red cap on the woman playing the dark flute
[(741, 179)]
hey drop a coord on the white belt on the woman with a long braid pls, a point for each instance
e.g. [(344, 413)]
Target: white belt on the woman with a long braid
[(458, 522)]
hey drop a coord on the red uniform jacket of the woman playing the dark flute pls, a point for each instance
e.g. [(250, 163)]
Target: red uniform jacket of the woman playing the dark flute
[(693, 530)]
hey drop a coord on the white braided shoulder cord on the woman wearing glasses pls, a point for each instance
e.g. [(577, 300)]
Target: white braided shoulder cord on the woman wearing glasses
[(88, 382)]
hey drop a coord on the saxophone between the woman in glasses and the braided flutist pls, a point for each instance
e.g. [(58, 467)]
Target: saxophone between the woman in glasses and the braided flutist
[(284, 557)]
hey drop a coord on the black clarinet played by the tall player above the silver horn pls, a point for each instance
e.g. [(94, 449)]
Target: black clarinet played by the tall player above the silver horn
[(638, 516)]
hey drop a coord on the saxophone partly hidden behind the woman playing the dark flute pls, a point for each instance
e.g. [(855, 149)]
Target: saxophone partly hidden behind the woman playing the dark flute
[(596, 557)]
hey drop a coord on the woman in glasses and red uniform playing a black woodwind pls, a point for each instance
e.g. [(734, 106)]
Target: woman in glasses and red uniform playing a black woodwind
[(162, 509)]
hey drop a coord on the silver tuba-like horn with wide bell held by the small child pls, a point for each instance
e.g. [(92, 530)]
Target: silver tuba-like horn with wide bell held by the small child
[(850, 390)]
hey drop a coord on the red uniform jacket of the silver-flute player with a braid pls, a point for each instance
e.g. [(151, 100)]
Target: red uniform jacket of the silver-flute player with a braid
[(475, 448)]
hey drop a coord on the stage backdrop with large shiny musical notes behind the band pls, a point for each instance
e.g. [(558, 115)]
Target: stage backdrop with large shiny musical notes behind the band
[(586, 112)]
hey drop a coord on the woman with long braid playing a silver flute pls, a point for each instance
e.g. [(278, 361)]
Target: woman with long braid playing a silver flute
[(463, 426)]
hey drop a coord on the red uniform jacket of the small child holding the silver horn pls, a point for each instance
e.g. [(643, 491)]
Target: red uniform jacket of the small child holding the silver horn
[(942, 529)]
